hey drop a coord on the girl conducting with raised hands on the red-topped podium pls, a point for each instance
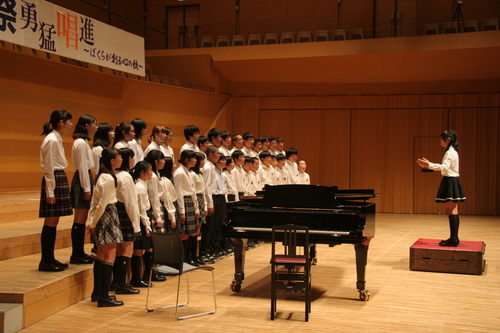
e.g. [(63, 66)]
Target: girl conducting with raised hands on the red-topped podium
[(450, 191)]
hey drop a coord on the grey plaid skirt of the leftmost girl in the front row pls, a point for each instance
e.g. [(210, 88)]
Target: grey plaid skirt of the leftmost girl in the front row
[(107, 230)]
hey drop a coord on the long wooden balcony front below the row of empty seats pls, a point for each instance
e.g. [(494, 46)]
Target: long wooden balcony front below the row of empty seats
[(396, 63)]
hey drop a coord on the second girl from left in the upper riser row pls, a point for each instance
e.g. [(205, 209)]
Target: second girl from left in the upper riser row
[(82, 185)]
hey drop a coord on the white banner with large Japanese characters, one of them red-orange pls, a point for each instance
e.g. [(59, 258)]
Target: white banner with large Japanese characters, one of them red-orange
[(44, 26)]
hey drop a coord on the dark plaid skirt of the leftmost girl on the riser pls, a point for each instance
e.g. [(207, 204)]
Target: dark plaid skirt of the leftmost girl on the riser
[(62, 207)]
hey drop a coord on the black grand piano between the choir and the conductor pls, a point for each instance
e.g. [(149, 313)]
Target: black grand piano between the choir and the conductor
[(333, 217)]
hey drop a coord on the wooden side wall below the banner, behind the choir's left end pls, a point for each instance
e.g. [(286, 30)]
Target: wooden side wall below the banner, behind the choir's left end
[(31, 88)]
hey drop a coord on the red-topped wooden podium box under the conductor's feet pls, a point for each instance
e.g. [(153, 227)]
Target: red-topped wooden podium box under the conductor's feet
[(467, 258)]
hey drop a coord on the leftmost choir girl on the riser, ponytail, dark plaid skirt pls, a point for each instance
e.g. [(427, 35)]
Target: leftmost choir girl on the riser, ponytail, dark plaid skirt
[(55, 198)]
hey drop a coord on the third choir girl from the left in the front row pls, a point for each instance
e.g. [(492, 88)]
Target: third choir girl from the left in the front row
[(141, 173)]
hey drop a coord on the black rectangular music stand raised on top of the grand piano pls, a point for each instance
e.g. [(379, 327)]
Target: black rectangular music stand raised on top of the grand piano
[(300, 196)]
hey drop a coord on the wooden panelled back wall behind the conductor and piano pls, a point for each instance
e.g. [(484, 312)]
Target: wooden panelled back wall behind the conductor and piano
[(374, 141)]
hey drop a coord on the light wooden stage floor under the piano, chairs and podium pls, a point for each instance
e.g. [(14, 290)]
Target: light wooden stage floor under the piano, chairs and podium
[(401, 300)]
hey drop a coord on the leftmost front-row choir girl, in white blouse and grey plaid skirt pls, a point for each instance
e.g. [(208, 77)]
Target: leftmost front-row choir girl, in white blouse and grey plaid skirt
[(104, 227)]
